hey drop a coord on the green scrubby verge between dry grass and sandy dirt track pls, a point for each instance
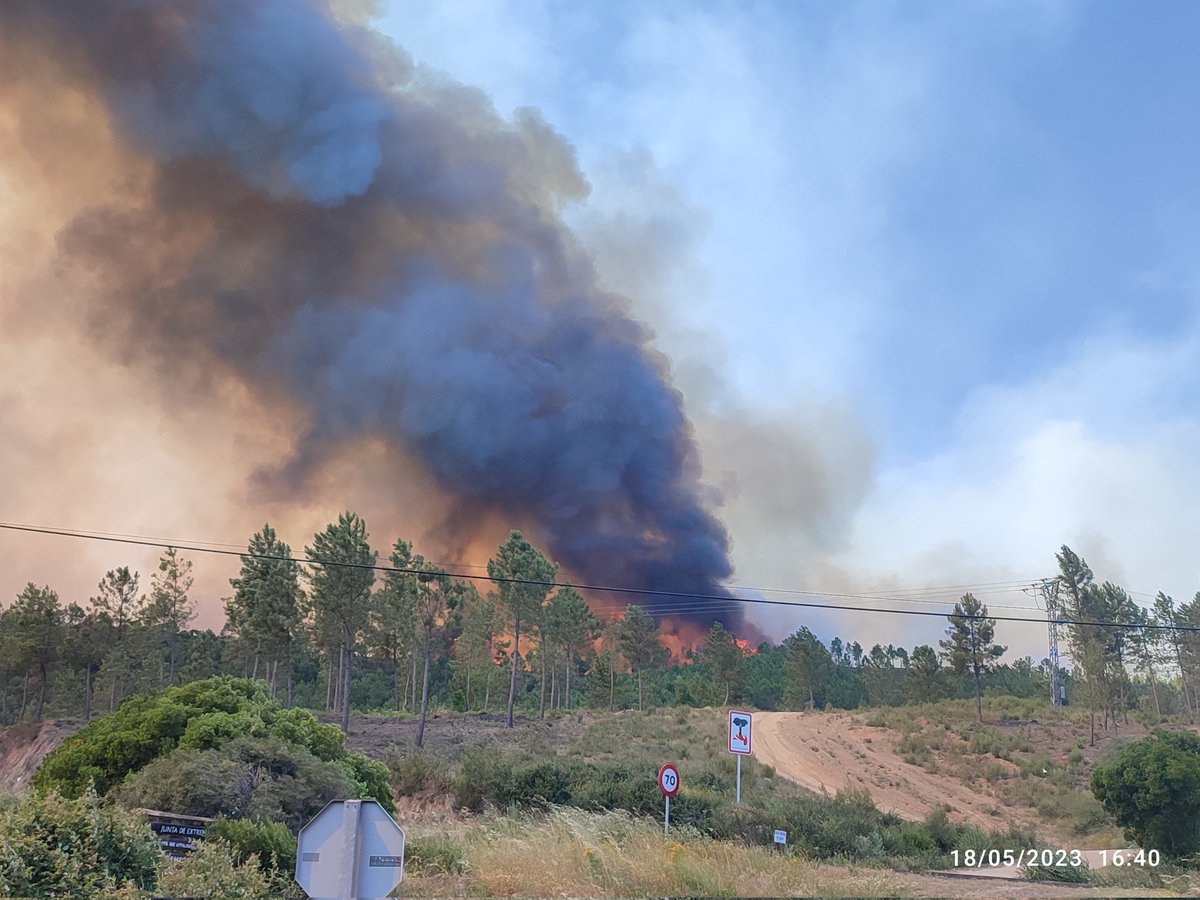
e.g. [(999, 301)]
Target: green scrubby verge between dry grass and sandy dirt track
[(613, 769)]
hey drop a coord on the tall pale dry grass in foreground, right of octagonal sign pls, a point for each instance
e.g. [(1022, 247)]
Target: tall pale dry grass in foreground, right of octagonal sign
[(568, 853)]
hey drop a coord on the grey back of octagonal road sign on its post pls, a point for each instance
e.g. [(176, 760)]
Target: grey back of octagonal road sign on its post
[(352, 850)]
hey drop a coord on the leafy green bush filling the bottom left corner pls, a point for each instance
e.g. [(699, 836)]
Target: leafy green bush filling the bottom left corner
[(58, 848)]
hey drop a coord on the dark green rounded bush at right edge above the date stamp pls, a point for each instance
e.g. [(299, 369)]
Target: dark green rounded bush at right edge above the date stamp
[(1153, 789)]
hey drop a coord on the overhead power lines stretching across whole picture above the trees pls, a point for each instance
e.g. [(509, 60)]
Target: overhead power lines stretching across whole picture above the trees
[(698, 602)]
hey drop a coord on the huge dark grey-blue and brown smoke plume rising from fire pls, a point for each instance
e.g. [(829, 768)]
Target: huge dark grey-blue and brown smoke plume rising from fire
[(383, 248)]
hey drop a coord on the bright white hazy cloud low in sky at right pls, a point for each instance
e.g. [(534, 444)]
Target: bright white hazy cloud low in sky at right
[(1097, 455)]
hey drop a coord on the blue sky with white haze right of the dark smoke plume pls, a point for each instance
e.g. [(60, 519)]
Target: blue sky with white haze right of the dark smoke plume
[(940, 256)]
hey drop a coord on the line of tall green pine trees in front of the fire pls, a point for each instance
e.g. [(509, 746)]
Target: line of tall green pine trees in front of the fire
[(337, 632)]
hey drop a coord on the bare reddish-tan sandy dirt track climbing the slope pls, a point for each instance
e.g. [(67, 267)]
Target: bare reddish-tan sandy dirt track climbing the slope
[(830, 752)]
